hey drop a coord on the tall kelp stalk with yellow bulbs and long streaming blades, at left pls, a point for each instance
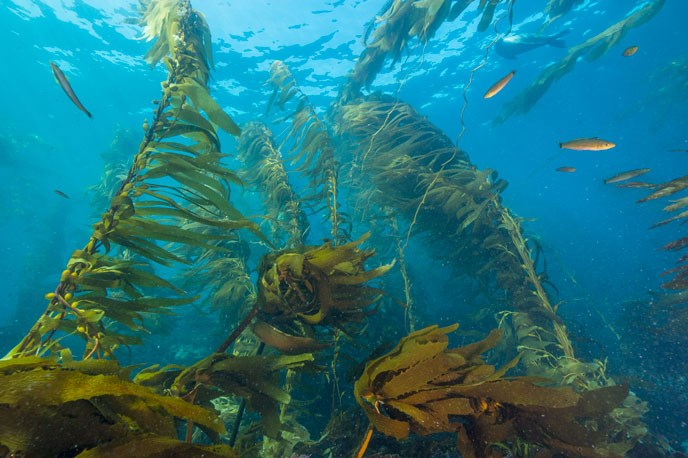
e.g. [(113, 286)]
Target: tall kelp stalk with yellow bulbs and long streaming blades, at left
[(176, 177)]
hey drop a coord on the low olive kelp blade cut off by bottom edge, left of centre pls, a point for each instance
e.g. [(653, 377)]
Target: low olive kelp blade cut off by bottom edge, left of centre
[(150, 446)]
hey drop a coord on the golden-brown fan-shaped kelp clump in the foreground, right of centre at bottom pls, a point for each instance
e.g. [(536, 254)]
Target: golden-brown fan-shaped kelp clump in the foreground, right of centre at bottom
[(422, 387)]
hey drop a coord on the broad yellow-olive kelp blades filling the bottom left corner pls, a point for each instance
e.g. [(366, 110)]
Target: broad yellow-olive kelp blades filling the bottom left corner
[(92, 405)]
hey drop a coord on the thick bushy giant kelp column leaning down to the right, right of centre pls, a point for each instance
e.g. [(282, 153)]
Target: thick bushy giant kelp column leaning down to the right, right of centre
[(408, 165)]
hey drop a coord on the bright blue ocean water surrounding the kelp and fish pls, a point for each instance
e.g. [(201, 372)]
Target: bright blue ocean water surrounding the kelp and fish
[(602, 256)]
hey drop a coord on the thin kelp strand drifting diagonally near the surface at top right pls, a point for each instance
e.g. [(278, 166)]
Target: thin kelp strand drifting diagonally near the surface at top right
[(593, 48)]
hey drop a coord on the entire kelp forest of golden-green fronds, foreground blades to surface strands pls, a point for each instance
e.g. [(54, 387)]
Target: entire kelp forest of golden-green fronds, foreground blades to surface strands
[(317, 340)]
